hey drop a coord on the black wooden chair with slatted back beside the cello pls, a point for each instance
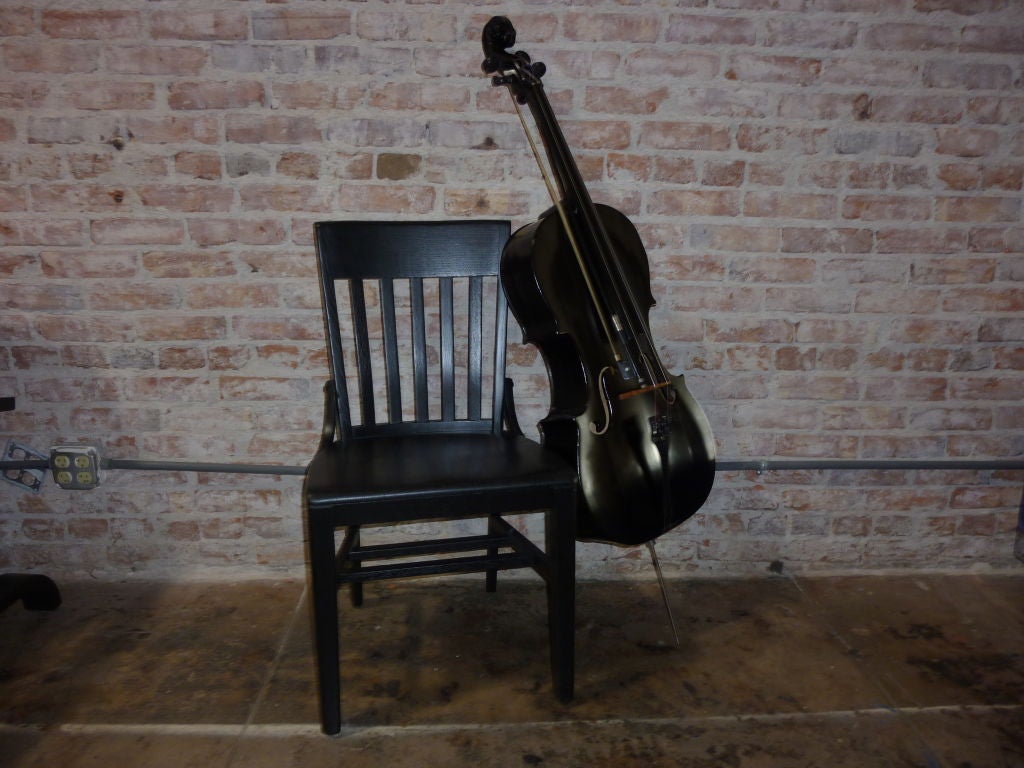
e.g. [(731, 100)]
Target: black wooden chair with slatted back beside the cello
[(432, 433)]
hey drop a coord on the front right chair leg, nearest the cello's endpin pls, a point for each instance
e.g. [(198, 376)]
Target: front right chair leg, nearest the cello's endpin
[(560, 532)]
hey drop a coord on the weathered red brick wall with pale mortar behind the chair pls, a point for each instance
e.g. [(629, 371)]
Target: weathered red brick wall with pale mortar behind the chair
[(830, 192)]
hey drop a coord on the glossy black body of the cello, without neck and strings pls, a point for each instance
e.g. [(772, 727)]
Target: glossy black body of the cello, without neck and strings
[(631, 490)]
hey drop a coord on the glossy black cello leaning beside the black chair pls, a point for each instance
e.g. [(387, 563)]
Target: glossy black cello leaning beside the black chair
[(579, 284)]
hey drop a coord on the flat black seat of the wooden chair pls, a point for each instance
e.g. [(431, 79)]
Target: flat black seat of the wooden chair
[(422, 467)]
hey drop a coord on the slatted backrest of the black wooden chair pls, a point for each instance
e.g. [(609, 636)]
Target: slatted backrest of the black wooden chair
[(416, 310)]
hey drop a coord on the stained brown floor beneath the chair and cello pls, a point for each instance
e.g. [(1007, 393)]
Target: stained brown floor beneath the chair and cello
[(914, 671)]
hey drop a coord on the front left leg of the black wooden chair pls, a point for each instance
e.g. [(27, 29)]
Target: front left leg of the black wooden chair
[(325, 605)]
